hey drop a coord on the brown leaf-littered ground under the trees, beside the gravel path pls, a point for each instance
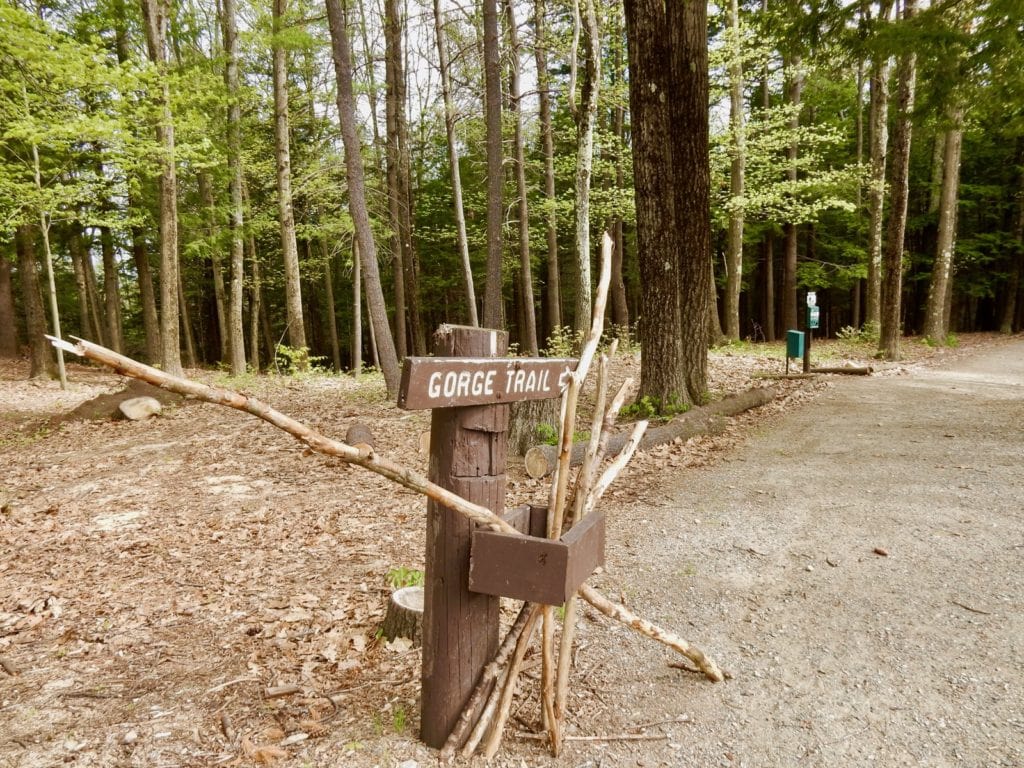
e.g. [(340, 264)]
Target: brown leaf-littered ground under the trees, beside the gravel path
[(160, 580)]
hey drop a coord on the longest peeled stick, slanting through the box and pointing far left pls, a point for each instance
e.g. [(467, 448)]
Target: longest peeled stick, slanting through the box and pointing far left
[(368, 460)]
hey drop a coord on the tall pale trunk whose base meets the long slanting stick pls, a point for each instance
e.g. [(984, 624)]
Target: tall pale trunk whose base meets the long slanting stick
[(156, 16)]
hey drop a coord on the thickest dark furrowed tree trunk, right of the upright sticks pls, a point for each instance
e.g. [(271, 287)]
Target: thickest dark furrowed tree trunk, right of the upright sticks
[(669, 104)]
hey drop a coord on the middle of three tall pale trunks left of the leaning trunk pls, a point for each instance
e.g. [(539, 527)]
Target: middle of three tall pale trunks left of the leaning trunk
[(236, 337)]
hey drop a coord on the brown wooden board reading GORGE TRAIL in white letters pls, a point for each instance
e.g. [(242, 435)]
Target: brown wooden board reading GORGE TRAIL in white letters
[(457, 382)]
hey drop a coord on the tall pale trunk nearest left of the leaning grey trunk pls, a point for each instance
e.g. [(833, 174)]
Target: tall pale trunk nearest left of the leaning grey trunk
[(286, 215)]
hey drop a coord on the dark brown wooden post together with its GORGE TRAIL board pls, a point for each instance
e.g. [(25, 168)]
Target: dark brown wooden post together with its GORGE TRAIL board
[(468, 387)]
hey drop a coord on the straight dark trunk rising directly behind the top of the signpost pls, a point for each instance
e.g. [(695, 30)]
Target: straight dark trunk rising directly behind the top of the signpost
[(493, 310)]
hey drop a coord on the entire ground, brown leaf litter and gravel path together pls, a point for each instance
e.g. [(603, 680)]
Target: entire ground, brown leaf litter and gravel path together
[(851, 553)]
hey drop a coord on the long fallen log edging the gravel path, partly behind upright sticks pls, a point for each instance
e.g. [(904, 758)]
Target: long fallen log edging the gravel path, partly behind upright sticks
[(699, 421)]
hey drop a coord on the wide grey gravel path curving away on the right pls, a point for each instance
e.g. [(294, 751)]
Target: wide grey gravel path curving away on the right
[(858, 567)]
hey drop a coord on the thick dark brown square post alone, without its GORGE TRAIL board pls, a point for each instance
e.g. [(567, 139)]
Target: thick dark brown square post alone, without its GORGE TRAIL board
[(467, 456)]
